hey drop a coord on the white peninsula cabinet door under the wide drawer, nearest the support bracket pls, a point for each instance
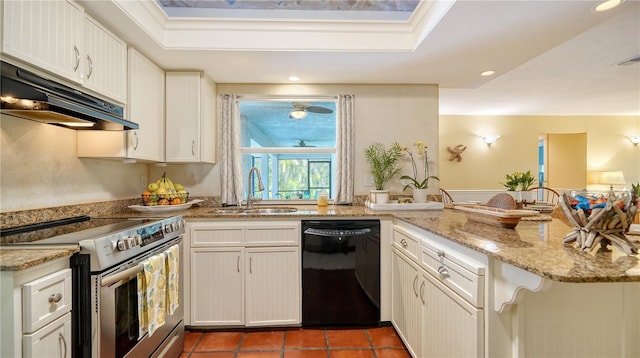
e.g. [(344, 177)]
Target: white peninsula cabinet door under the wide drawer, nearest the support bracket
[(451, 327)]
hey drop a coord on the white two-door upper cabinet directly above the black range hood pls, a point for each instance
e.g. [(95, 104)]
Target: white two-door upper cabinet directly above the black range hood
[(58, 37)]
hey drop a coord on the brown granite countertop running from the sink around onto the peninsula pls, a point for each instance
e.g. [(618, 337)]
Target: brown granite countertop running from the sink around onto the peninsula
[(535, 246)]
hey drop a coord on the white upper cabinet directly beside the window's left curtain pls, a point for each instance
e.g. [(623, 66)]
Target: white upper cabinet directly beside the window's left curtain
[(190, 118)]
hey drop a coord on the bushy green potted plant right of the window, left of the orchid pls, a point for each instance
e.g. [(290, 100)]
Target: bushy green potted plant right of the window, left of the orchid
[(383, 162)]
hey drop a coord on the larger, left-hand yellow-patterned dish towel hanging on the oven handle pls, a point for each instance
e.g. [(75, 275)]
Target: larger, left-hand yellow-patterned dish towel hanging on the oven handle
[(152, 294)]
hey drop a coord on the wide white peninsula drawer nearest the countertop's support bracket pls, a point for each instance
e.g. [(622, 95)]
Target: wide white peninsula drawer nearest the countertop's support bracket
[(461, 275)]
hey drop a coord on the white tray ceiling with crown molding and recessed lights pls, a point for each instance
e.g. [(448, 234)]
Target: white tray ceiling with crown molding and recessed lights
[(550, 57)]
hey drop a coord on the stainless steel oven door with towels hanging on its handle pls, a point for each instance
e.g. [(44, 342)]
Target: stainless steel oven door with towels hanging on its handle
[(117, 320)]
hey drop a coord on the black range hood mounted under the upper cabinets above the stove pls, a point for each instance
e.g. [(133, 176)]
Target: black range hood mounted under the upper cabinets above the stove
[(27, 95)]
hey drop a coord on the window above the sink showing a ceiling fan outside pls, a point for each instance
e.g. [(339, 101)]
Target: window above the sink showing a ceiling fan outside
[(293, 144)]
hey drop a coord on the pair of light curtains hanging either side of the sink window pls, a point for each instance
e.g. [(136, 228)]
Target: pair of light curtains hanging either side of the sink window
[(232, 191)]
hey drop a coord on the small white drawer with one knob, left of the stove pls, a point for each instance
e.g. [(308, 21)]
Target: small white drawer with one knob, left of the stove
[(45, 299)]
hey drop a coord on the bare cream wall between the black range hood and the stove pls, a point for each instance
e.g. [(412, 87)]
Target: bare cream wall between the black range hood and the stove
[(39, 169)]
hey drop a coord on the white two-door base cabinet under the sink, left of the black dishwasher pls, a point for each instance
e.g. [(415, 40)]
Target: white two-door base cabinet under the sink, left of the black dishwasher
[(243, 273)]
